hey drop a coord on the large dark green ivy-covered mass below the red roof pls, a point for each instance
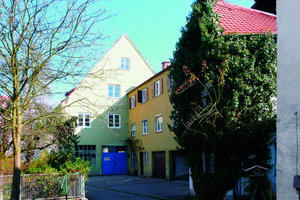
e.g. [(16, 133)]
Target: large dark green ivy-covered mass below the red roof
[(223, 97)]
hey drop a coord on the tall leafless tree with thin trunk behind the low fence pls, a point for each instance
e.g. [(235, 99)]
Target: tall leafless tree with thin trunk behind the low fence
[(41, 41)]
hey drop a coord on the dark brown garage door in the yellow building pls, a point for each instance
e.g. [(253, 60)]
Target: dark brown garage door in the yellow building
[(159, 164)]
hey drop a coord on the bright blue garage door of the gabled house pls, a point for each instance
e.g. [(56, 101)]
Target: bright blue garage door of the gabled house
[(114, 160)]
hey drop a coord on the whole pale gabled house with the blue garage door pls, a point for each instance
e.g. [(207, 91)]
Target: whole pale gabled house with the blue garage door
[(100, 103)]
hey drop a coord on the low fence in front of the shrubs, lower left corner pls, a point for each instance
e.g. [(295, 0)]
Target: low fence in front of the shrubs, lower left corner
[(45, 186)]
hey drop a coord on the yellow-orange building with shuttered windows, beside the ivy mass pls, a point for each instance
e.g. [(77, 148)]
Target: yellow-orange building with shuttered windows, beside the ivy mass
[(154, 151)]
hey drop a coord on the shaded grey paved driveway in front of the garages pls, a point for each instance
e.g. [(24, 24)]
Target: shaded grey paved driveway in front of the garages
[(123, 187)]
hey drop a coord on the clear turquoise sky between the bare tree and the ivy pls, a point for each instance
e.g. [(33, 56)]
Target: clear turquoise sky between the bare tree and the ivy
[(154, 27)]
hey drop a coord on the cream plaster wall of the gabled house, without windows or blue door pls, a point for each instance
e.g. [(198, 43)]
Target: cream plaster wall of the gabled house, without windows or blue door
[(91, 96)]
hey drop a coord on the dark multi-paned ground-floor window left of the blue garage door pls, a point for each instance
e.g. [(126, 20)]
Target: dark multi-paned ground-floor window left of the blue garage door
[(86, 152)]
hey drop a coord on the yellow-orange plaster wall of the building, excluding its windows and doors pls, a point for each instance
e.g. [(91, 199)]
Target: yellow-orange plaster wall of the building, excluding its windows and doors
[(153, 141)]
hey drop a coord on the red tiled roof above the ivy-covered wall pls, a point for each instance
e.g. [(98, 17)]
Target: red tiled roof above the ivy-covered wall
[(241, 20)]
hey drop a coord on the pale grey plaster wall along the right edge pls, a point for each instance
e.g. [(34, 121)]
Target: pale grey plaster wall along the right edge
[(288, 91)]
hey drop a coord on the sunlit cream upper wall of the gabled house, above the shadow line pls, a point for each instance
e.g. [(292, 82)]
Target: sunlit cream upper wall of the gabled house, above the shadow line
[(91, 95)]
